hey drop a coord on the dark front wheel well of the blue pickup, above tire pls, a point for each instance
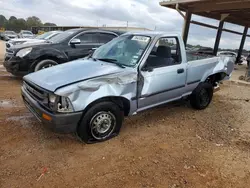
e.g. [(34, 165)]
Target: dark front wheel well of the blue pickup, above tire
[(122, 102)]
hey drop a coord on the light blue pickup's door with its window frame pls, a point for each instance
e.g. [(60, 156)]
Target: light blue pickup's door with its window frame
[(163, 74)]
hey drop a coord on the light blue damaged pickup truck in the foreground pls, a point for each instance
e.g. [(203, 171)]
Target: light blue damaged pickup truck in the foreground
[(131, 73)]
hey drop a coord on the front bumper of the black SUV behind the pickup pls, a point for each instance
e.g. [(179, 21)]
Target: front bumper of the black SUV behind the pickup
[(16, 65)]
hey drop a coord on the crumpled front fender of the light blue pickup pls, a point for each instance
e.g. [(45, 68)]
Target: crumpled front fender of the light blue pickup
[(123, 84)]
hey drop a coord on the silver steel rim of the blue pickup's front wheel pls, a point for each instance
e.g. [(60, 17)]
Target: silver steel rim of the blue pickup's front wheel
[(102, 125)]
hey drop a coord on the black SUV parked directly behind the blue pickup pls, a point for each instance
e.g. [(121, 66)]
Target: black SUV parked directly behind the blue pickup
[(70, 45)]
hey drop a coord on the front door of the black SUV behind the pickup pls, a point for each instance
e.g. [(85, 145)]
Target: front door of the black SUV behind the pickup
[(89, 41)]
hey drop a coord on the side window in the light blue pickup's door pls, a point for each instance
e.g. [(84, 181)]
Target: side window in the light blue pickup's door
[(166, 52)]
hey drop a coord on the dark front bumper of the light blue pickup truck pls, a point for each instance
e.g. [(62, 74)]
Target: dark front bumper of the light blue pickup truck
[(63, 123)]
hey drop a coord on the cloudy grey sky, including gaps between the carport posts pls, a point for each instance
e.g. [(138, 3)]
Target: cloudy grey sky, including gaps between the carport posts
[(138, 13)]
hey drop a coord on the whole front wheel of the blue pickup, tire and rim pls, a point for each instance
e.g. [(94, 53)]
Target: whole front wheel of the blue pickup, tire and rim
[(101, 122)]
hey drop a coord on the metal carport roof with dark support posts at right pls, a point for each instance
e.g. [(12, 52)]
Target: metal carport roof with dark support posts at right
[(232, 11)]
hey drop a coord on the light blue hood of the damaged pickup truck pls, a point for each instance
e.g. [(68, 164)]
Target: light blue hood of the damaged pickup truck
[(72, 72)]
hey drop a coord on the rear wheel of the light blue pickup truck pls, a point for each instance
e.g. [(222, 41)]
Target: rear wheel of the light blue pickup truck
[(202, 96)]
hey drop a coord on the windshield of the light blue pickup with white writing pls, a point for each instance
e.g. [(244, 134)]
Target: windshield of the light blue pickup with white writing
[(125, 50)]
